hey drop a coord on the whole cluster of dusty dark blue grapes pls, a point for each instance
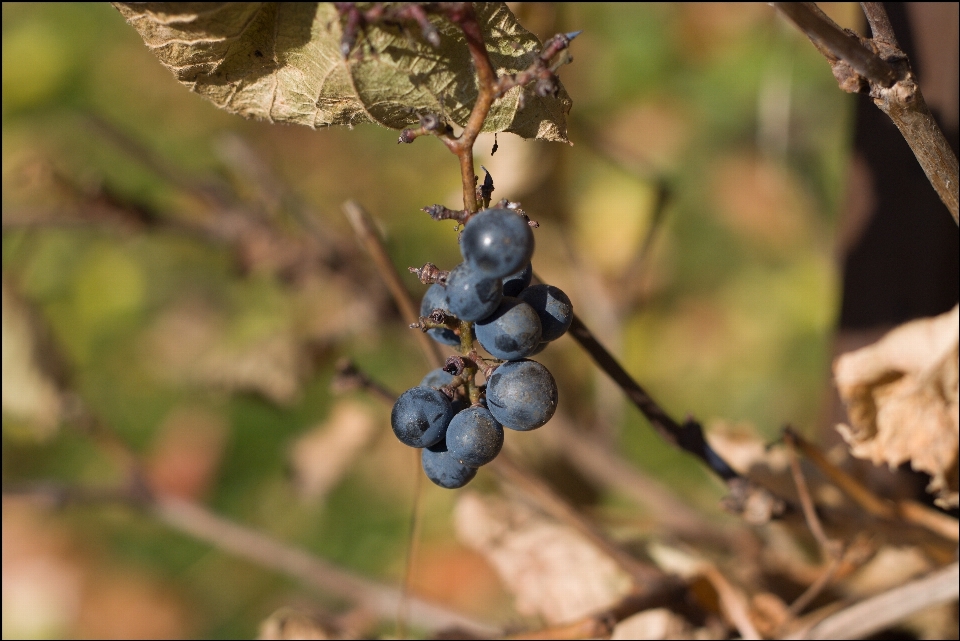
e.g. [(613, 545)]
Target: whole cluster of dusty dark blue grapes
[(488, 297)]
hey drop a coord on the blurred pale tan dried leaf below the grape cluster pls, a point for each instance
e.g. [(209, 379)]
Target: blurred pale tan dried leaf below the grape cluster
[(552, 571)]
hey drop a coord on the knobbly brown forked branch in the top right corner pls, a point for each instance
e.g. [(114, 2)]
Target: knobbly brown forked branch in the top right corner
[(883, 71)]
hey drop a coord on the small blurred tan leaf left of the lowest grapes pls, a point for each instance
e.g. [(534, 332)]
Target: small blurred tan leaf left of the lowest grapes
[(324, 454)]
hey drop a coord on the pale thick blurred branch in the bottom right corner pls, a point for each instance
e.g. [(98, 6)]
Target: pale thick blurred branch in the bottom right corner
[(884, 610)]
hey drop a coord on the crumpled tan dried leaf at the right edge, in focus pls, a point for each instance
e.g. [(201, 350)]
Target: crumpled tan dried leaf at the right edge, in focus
[(901, 397)]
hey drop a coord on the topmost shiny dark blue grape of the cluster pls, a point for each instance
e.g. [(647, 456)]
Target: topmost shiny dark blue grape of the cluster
[(497, 242)]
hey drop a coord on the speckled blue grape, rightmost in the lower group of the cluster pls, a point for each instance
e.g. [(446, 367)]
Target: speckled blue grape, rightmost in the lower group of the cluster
[(522, 395)]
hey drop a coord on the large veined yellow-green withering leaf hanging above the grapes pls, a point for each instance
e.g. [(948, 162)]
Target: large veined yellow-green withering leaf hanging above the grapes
[(281, 62)]
